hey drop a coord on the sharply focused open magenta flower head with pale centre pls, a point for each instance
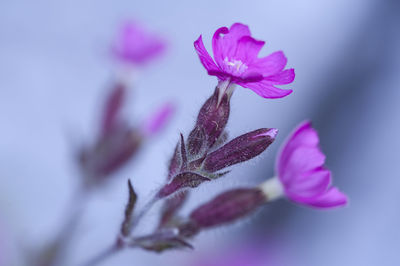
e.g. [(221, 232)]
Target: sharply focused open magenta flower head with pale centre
[(236, 60)]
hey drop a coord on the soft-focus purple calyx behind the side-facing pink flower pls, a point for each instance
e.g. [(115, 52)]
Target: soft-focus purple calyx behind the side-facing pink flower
[(227, 207)]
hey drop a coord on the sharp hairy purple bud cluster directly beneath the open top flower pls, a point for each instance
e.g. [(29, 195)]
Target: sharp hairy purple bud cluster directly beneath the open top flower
[(204, 155)]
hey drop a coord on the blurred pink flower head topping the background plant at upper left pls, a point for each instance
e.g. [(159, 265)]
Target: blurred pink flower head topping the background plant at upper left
[(134, 45)]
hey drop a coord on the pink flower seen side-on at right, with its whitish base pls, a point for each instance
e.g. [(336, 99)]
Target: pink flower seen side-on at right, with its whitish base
[(301, 174)]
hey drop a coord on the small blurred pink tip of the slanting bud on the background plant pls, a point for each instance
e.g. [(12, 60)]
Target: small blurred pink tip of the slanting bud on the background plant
[(158, 120)]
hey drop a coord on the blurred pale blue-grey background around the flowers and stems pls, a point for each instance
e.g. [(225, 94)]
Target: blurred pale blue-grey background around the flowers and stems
[(55, 71)]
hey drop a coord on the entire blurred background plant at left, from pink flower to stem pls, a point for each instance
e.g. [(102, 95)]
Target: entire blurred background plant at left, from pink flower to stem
[(117, 141)]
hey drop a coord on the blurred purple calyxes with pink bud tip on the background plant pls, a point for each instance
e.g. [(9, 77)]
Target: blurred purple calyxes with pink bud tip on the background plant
[(118, 141)]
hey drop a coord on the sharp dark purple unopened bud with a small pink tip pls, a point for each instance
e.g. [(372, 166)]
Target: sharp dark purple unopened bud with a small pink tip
[(240, 149)]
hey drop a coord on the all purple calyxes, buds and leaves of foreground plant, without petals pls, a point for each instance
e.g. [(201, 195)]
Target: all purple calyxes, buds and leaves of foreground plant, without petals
[(203, 156)]
